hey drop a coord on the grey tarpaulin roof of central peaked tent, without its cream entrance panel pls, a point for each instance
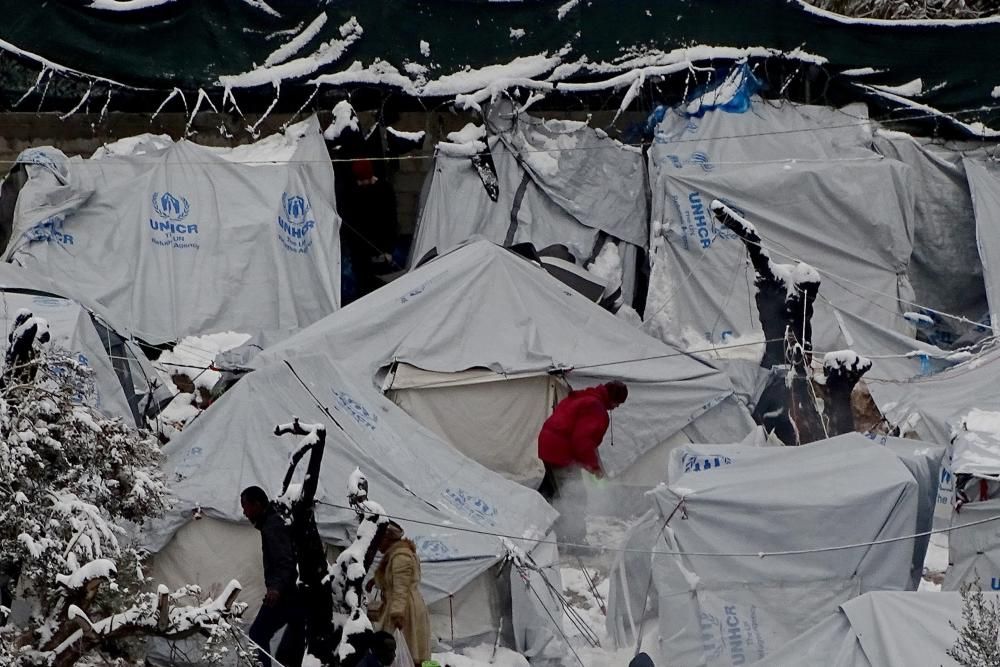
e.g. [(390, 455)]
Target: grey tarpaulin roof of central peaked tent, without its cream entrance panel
[(481, 306)]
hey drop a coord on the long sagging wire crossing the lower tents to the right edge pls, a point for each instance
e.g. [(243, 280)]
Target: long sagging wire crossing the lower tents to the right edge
[(706, 554)]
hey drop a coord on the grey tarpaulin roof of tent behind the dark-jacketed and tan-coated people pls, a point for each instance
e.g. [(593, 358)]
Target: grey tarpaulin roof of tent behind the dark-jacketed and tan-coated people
[(411, 472)]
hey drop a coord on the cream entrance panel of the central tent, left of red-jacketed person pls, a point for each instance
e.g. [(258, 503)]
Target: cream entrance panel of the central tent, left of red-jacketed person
[(490, 417)]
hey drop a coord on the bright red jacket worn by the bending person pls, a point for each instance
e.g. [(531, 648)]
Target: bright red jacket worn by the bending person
[(575, 429)]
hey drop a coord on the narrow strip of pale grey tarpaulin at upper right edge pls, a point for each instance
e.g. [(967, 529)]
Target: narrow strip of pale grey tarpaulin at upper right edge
[(984, 181)]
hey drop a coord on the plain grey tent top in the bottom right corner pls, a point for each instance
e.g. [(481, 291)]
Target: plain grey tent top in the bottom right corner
[(877, 629)]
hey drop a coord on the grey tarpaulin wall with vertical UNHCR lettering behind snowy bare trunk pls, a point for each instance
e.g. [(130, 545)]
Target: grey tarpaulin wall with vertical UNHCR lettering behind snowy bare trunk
[(829, 215)]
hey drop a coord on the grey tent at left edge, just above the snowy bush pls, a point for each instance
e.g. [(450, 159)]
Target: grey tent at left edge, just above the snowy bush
[(124, 384)]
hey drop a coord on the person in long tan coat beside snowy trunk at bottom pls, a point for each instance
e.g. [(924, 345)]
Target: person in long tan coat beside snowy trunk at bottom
[(398, 577)]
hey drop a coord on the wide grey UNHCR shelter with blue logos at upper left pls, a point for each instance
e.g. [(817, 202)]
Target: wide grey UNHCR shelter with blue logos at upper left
[(177, 239)]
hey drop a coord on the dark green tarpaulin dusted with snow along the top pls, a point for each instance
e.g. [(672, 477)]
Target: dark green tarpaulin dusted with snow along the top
[(192, 43)]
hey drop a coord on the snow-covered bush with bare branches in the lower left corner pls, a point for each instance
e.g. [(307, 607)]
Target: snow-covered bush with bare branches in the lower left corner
[(76, 485)]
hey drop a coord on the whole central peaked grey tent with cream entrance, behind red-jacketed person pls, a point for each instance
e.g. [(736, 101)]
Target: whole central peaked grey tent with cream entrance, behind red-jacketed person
[(497, 326)]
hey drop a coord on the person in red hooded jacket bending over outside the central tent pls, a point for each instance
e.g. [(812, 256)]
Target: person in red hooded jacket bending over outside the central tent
[(568, 442)]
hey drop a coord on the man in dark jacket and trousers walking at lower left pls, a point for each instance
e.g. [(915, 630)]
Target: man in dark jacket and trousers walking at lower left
[(281, 604)]
